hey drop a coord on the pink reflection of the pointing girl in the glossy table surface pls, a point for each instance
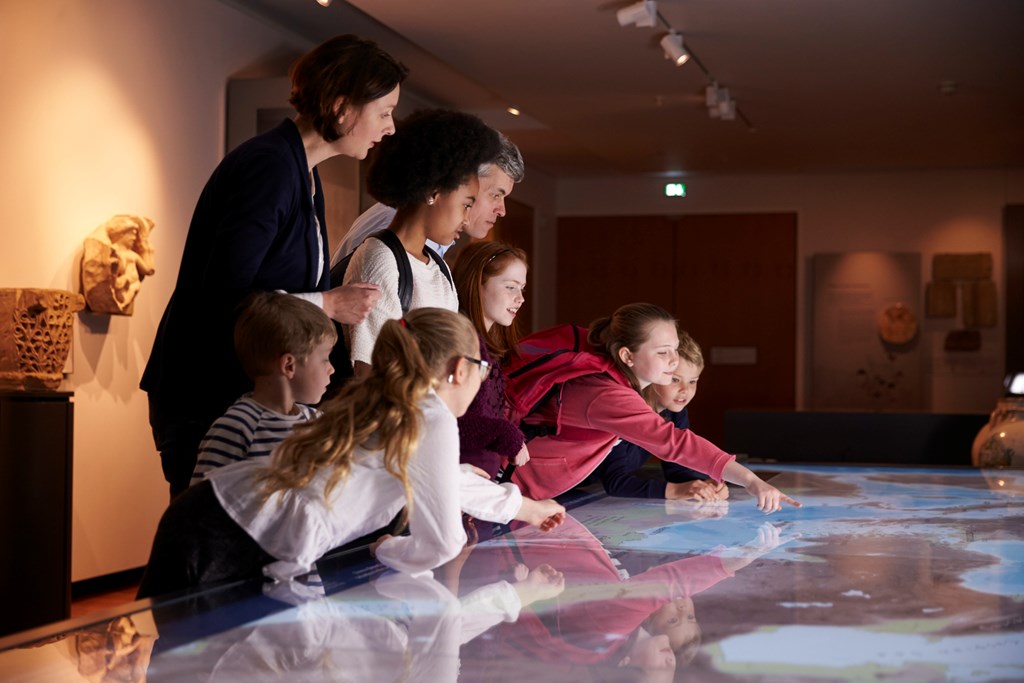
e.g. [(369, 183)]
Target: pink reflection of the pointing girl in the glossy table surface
[(616, 612)]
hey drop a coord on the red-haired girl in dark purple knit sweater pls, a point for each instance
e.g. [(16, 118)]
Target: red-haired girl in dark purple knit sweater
[(490, 278)]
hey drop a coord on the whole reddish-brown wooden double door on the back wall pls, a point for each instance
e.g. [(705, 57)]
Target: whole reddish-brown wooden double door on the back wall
[(731, 281)]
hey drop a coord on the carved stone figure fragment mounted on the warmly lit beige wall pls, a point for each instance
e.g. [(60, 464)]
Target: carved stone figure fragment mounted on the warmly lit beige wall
[(116, 258)]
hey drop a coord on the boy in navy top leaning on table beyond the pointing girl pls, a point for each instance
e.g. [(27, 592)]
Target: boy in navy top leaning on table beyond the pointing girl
[(618, 473)]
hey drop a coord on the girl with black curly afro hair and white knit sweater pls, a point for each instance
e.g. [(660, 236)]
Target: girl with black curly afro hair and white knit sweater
[(428, 172)]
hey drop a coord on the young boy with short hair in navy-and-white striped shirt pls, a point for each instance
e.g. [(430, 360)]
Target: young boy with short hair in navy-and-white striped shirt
[(283, 344)]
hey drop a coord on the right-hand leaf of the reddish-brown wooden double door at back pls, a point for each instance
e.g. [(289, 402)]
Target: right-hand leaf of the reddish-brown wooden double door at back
[(736, 293)]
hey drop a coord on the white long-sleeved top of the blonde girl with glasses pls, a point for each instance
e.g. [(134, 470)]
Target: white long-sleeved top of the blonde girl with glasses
[(297, 527)]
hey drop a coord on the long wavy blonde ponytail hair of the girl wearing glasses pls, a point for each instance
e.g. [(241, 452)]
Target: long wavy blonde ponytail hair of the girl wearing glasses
[(380, 412)]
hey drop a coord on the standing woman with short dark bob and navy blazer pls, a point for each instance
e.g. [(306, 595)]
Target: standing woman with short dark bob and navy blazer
[(260, 226)]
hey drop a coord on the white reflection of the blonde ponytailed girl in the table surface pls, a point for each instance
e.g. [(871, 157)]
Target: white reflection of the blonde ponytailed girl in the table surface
[(397, 628)]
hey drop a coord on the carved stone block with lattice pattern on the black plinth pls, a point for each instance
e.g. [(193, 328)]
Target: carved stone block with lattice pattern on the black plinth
[(35, 336)]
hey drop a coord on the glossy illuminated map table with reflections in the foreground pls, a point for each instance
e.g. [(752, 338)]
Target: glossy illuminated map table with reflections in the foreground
[(885, 574)]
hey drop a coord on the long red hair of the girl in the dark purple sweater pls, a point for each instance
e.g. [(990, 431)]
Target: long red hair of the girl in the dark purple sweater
[(477, 265)]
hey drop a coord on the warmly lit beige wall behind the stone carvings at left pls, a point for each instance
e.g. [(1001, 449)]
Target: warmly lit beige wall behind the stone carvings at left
[(112, 107)]
